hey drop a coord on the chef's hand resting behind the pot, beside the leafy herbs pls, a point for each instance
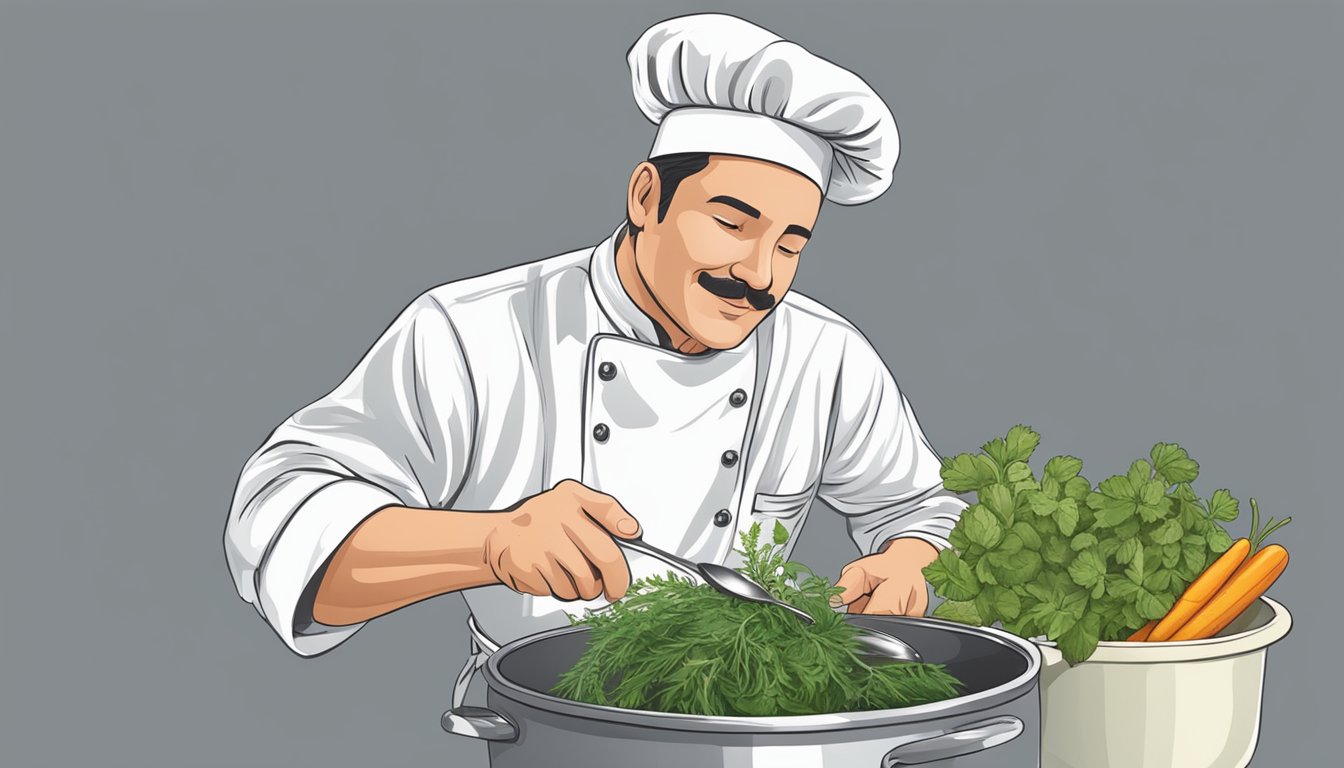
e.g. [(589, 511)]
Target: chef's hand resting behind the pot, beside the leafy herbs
[(892, 582)]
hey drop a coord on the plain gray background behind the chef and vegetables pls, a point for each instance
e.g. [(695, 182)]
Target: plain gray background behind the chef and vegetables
[(1116, 223)]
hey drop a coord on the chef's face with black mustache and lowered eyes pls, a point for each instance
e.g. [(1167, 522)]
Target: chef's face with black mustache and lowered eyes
[(729, 247)]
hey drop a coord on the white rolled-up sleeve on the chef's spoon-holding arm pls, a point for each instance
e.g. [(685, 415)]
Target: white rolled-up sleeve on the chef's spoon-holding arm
[(397, 432)]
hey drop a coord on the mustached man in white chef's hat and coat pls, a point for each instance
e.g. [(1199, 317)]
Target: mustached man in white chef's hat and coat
[(665, 383)]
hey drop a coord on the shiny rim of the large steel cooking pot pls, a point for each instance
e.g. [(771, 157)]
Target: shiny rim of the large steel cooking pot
[(1017, 688)]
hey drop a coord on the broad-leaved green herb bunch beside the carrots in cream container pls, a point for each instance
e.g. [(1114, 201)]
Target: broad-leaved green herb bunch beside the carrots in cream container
[(1061, 559)]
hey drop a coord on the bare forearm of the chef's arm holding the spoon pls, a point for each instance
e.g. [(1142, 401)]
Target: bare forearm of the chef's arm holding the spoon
[(401, 556)]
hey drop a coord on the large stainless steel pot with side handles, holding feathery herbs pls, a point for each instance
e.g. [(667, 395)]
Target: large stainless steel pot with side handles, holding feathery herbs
[(997, 723)]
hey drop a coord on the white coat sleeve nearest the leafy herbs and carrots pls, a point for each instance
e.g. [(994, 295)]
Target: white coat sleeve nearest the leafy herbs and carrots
[(881, 473)]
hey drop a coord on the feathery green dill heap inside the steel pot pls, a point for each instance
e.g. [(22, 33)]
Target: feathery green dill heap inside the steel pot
[(675, 646)]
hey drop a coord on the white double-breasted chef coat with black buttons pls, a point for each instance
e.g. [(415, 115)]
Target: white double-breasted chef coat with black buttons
[(493, 389)]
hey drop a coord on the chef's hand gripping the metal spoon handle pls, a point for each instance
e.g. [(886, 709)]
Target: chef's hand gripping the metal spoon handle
[(560, 544)]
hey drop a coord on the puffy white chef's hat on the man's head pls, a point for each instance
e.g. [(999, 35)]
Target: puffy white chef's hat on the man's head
[(721, 85)]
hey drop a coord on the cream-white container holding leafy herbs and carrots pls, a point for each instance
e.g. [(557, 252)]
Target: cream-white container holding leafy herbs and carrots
[(1193, 704)]
